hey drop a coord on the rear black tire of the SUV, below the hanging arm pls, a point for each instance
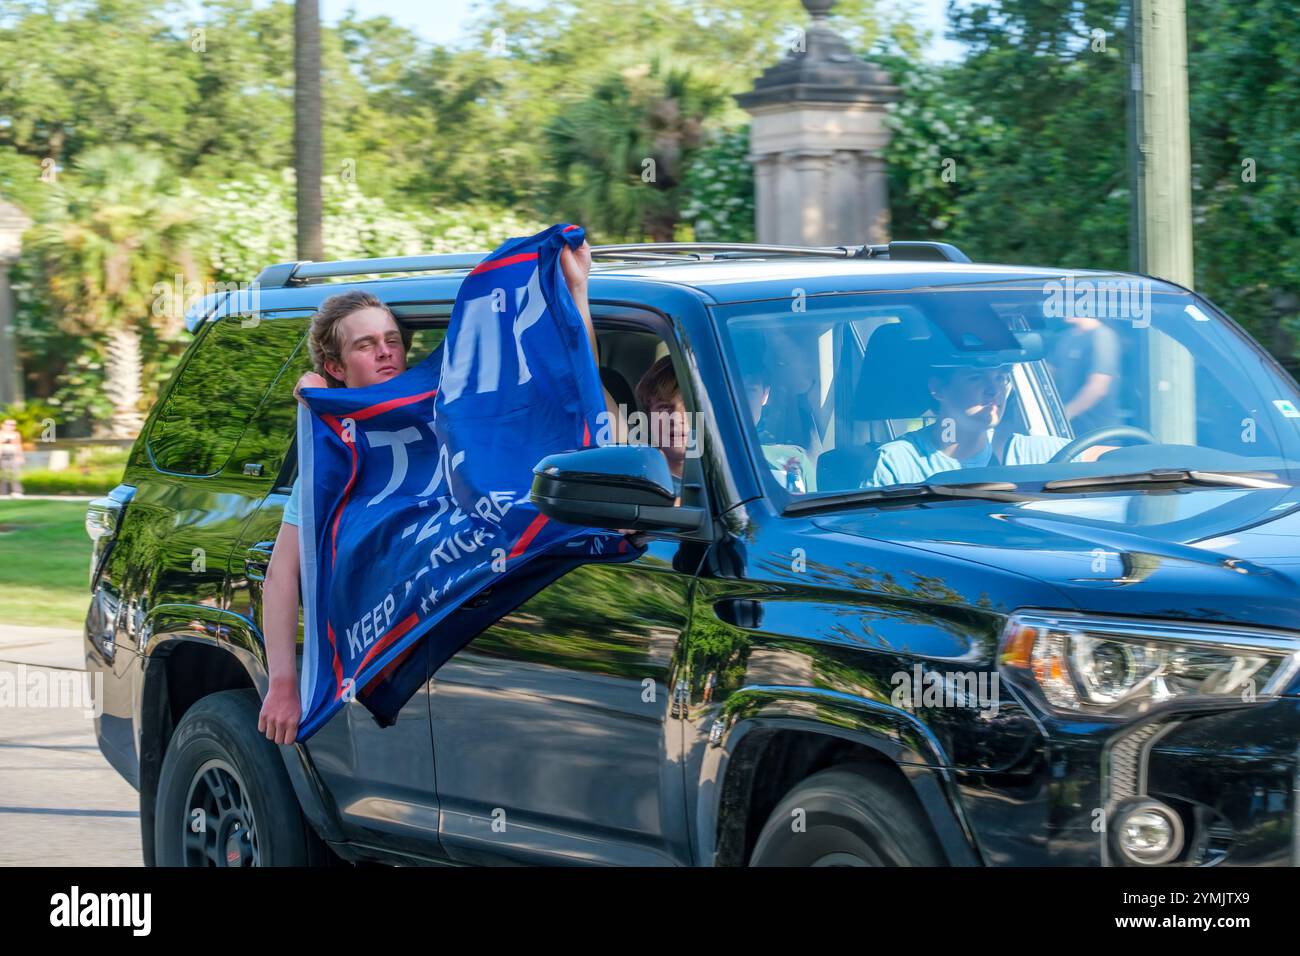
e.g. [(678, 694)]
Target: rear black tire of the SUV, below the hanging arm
[(219, 763)]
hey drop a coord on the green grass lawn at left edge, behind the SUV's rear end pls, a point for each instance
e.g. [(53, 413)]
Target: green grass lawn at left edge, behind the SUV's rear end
[(45, 563)]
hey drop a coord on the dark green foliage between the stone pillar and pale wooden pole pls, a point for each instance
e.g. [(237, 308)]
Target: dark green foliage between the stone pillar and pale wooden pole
[(1045, 176)]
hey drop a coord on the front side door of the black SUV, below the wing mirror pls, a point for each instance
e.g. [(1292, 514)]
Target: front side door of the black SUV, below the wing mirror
[(556, 739)]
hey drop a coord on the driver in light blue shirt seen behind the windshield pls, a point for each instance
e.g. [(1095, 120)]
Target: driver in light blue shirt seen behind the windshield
[(970, 406)]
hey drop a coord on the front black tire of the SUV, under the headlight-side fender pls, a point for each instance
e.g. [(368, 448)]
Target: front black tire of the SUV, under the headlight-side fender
[(855, 816)]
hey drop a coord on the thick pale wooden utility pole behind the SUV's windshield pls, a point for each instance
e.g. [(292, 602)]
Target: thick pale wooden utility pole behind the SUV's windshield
[(1160, 141)]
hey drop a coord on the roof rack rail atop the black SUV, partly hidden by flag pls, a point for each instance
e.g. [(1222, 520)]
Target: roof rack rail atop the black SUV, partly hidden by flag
[(285, 275)]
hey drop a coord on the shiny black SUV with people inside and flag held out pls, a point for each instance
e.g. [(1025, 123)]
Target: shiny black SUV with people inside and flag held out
[(866, 635)]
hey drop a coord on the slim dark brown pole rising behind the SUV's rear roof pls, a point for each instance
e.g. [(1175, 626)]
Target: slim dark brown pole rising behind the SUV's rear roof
[(307, 127)]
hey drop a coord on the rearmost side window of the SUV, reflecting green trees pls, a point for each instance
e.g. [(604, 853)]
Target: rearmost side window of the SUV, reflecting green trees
[(219, 391)]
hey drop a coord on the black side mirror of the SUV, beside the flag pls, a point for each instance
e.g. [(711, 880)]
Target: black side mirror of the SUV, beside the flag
[(612, 487)]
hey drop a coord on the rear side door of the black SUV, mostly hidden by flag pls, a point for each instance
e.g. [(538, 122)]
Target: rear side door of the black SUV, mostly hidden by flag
[(380, 778)]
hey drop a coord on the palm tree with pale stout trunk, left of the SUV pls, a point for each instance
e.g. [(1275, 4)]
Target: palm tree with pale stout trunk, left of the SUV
[(106, 239)]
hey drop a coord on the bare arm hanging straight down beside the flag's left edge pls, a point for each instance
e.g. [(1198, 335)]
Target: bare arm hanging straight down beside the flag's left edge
[(283, 708)]
